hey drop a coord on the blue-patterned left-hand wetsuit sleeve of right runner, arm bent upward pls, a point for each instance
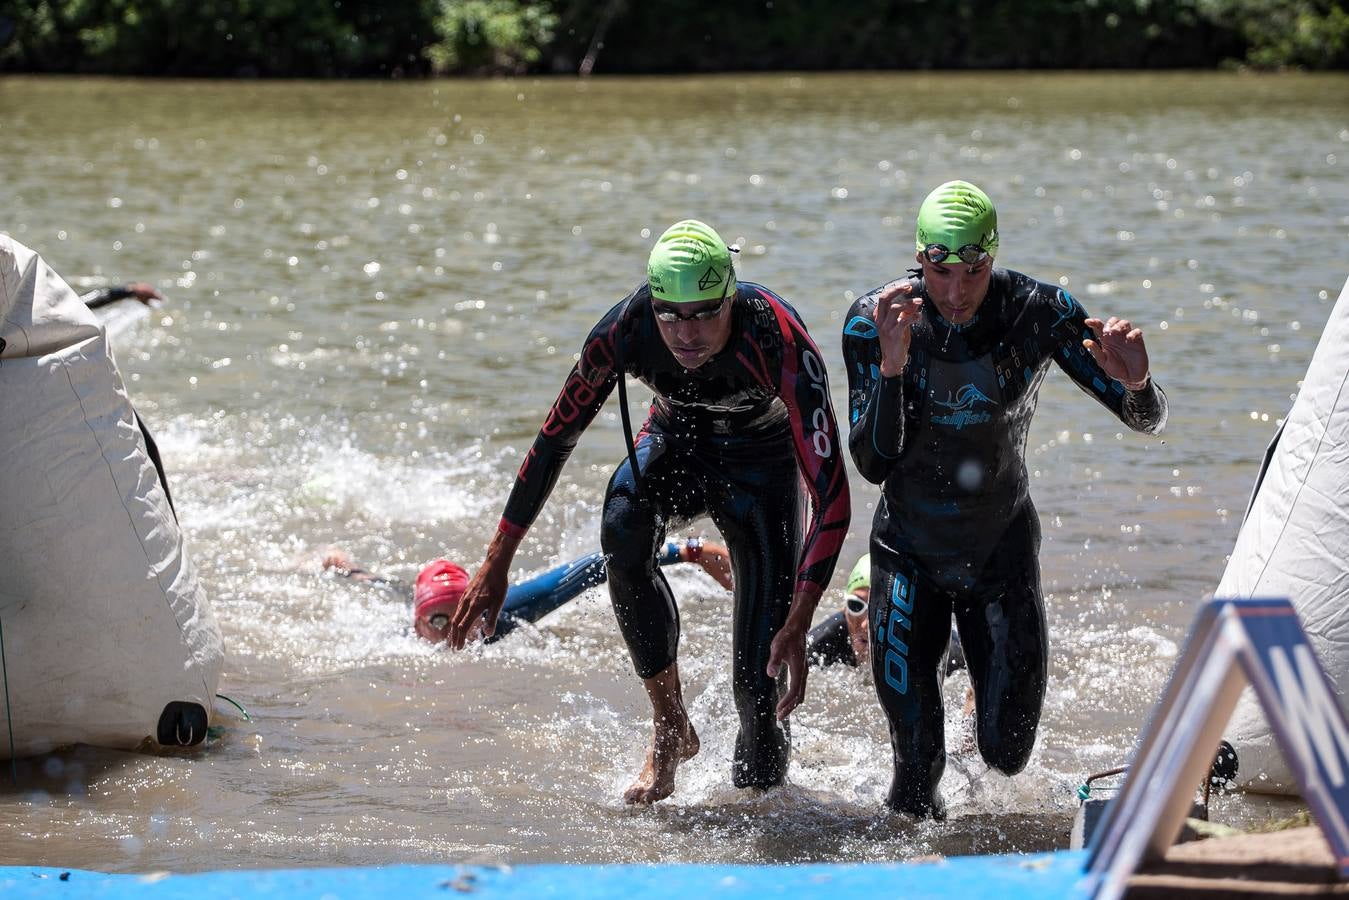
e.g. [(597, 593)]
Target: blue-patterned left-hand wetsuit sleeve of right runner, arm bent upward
[(876, 404)]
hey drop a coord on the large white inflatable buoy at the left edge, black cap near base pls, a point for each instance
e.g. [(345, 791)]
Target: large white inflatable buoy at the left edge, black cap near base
[(106, 634)]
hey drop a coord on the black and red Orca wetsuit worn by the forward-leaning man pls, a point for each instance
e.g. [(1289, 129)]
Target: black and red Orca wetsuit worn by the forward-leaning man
[(732, 441)]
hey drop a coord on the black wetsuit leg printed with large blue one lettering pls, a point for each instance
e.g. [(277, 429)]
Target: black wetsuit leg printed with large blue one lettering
[(911, 624)]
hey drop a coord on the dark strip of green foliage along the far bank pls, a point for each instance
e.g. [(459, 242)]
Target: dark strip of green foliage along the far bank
[(399, 38)]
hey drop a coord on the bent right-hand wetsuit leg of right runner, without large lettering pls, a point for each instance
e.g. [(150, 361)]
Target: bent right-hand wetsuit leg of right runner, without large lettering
[(1006, 640)]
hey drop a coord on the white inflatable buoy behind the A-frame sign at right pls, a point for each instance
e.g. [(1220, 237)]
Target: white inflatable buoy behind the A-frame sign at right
[(1296, 542)]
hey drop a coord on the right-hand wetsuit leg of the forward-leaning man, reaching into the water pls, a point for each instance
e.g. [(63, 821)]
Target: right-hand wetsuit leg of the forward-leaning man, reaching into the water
[(757, 511)]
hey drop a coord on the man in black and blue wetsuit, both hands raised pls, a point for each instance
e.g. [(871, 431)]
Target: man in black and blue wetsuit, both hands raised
[(944, 373)]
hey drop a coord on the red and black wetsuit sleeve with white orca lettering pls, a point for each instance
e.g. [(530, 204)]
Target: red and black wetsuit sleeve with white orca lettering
[(806, 391)]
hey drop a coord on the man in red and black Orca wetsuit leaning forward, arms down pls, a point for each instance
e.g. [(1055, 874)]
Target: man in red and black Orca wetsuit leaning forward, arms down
[(741, 418)]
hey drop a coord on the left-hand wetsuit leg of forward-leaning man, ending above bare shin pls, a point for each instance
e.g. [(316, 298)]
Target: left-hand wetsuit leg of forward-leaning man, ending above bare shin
[(632, 532)]
